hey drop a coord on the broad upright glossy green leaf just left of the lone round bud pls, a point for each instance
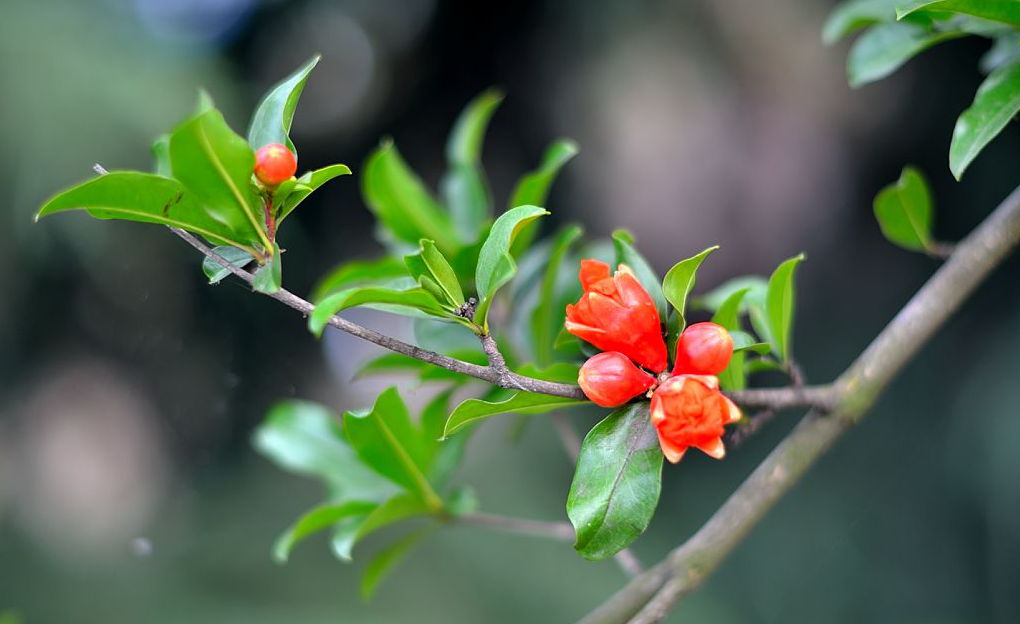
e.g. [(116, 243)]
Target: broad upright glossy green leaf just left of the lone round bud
[(216, 166)]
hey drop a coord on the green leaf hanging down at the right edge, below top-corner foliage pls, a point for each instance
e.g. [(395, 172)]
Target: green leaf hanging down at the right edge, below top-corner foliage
[(997, 101)]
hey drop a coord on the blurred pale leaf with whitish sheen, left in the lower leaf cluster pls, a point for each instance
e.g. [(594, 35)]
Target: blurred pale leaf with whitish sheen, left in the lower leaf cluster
[(305, 439)]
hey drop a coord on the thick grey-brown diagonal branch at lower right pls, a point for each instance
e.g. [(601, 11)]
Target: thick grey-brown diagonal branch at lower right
[(649, 597)]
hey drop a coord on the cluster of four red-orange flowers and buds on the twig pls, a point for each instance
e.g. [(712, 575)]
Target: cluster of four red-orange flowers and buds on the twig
[(619, 317)]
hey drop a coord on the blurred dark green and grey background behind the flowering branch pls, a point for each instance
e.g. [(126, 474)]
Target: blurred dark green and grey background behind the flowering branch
[(129, 389)]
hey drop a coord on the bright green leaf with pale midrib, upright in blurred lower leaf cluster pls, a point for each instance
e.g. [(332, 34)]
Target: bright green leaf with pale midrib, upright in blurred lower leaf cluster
[(386, 440)]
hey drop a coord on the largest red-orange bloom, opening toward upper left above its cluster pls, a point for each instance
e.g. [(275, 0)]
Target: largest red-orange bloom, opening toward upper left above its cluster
[(616, 314)]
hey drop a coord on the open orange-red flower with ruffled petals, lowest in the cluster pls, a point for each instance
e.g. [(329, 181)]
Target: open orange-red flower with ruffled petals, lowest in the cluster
[(690, 411)]
